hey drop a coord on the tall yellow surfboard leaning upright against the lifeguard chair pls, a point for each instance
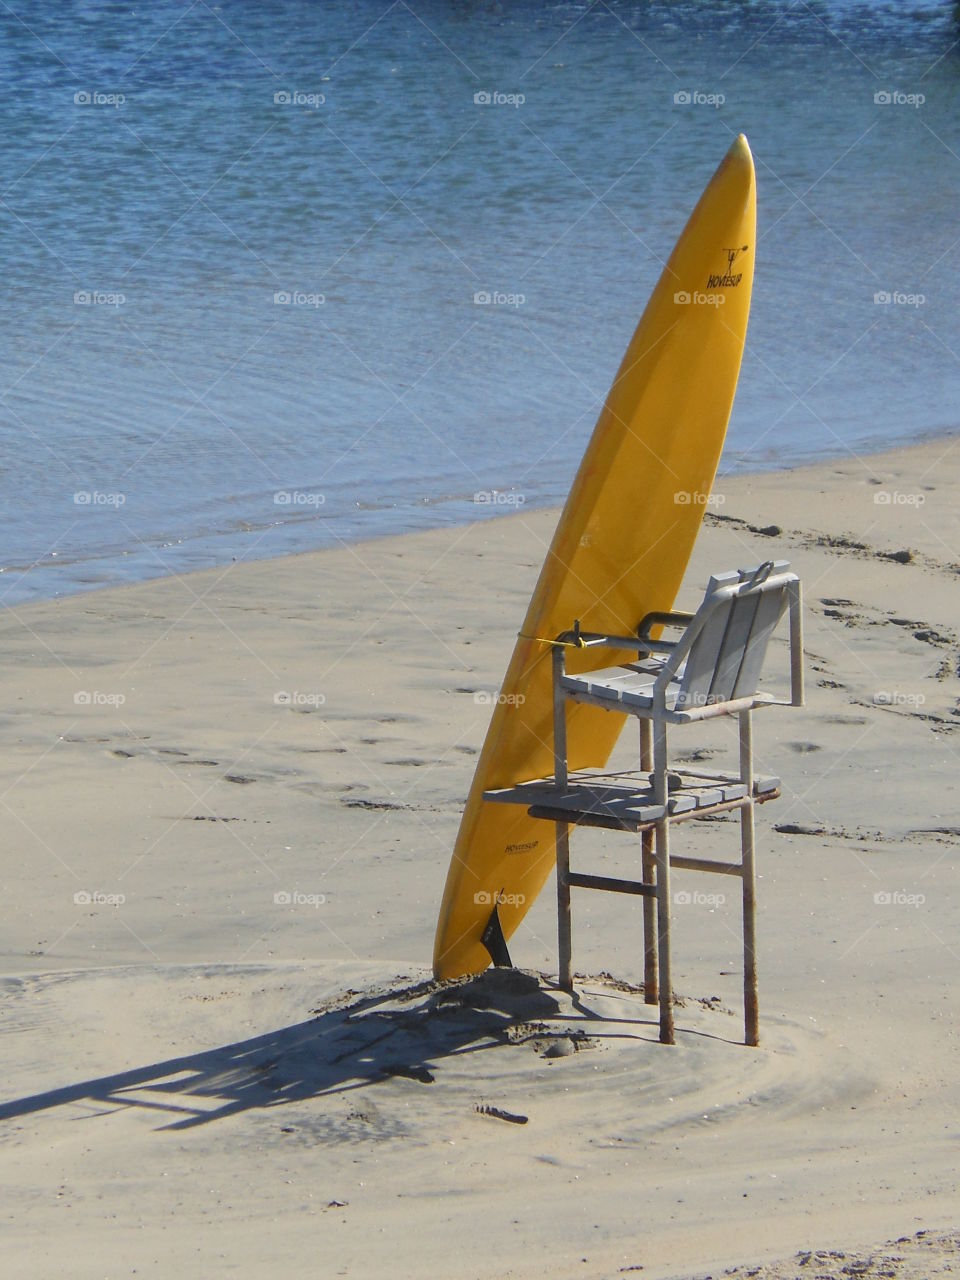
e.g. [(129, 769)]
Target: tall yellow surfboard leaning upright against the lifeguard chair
[(620, 551)]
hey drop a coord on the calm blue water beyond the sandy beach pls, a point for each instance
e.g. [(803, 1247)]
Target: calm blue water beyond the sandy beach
[(182, 164)]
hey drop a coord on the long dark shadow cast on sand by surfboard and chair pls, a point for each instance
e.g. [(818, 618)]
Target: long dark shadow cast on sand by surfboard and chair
[(399, 1032)]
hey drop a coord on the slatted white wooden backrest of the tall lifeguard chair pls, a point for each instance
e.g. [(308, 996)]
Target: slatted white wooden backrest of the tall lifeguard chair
[(730, 633)]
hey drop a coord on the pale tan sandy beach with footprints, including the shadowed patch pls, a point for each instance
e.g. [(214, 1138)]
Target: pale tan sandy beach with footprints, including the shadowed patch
[(205, 1080)]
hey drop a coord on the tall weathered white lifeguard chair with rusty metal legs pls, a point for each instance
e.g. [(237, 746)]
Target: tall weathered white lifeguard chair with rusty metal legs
[(712, 670)]
